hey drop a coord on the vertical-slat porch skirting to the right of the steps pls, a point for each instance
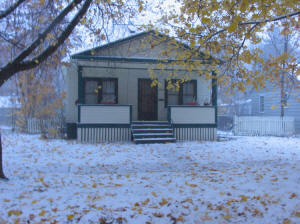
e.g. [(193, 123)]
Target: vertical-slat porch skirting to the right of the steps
[(195, 134)]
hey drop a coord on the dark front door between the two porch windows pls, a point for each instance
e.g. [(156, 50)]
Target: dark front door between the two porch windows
[(147, 100)]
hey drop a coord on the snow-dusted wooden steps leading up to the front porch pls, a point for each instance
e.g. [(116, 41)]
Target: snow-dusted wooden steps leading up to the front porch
[(146, 132)]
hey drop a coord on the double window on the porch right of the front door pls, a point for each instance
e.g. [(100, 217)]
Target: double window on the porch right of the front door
[(181, 93)]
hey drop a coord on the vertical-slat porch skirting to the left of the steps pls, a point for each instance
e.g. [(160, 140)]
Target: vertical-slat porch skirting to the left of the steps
[(97, 135)]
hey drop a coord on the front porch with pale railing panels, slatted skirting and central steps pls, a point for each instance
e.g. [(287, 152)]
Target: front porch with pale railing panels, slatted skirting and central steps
[(113, 123)]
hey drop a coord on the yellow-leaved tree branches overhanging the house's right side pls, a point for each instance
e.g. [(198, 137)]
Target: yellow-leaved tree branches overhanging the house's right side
[(226, 29)]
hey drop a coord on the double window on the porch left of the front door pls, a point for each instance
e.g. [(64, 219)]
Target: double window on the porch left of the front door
[(100, 91)]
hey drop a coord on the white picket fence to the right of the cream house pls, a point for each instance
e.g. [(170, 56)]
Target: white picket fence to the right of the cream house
[(264, 126)]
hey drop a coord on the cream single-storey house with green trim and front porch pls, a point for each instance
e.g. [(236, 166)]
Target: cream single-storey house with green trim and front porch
[(110, 97)]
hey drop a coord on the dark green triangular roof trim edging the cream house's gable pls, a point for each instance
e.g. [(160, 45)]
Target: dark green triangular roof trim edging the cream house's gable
[(87, 54)]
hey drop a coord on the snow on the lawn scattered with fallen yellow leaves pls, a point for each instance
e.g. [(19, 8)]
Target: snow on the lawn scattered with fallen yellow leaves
[(245, 180)]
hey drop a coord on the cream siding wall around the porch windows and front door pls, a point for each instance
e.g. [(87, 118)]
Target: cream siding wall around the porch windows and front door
[(127, 75)]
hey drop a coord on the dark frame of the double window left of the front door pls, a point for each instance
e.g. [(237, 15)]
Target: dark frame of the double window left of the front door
[(100, 83)]
